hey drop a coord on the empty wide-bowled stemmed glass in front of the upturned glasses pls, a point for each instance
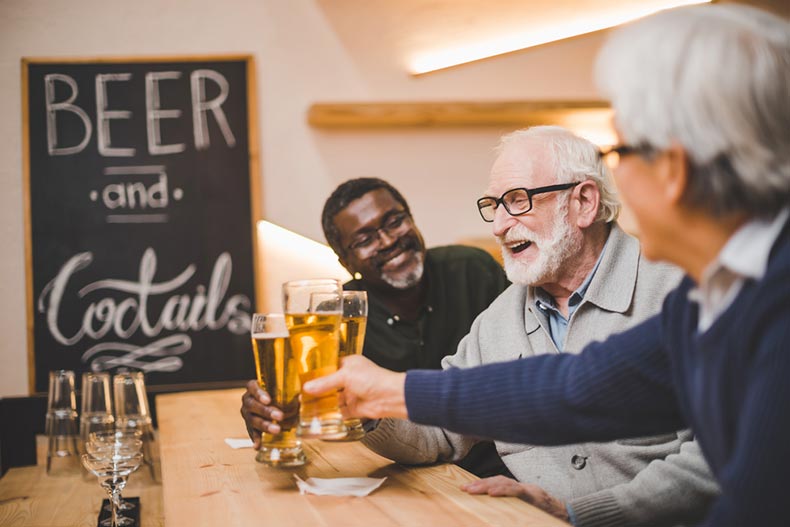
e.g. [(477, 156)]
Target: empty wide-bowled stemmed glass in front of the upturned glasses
[(112, 466)]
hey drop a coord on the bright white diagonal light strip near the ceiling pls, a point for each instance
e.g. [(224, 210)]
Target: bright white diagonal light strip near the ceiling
[(461, 54)]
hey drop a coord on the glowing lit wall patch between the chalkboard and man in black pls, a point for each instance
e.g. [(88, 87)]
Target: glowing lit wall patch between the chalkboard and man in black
[(285, 255)]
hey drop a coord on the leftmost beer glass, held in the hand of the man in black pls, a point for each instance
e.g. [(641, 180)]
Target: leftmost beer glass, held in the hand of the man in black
[(278, 373)]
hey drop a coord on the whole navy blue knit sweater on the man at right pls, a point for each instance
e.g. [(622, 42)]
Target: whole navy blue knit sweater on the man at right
[(730, 384)]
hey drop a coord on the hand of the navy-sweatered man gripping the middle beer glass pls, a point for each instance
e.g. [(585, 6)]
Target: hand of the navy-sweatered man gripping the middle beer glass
[(366, 389)]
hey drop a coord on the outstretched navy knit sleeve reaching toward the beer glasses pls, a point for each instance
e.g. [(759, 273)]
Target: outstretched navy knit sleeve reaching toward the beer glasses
[(615, 389)]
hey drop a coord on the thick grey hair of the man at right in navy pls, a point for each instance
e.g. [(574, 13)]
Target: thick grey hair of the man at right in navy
[(716, 80)]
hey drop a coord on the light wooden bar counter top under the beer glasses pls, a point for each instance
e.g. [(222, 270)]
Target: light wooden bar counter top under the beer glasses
[(206, 483)]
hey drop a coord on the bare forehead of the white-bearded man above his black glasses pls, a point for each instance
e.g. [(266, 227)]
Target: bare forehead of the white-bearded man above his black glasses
[(525, 164)]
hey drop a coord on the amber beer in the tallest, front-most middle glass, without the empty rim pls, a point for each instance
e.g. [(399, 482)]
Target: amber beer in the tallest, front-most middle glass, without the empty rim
[(314, 339)]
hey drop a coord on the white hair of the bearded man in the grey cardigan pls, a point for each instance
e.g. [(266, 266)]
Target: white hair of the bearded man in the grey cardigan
[(574, 159)]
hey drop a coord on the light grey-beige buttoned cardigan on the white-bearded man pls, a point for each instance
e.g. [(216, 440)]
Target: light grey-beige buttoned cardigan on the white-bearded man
[(660, 480)]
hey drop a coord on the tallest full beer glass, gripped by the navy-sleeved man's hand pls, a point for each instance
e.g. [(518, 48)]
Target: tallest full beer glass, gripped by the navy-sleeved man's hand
[(314, 334)]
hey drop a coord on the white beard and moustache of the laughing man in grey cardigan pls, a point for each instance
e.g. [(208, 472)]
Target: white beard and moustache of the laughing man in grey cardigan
[(554, 251)]
